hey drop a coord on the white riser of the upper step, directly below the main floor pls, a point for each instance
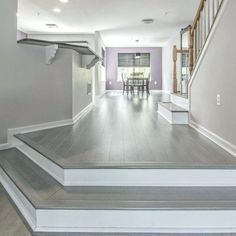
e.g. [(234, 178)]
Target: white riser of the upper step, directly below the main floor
[(131, 177)]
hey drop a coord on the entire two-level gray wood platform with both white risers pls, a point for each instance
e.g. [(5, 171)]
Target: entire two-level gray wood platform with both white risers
[(121, 169)]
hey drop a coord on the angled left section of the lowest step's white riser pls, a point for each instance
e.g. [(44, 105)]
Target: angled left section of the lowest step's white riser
[(22, 203)]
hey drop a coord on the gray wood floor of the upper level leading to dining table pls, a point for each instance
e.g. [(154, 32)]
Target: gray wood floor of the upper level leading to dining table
[(127, 132)]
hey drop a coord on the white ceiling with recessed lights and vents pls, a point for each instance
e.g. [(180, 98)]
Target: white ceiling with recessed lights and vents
[(119, 21)]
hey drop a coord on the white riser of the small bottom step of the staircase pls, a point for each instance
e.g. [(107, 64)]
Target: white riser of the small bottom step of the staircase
[(175, 118)]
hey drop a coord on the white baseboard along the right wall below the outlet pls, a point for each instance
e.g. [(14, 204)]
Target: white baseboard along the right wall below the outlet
[(227, 146)]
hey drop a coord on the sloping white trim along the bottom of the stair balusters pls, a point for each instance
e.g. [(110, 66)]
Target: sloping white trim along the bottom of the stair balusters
[(210, 37)]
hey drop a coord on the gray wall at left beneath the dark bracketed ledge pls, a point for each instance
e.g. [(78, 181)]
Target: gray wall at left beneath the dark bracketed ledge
[(31, 92)]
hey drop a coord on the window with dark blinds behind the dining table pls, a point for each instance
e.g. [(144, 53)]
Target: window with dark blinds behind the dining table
[(132, 63)]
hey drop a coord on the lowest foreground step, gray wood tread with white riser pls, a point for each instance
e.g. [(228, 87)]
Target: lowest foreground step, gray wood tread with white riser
[(45, 203)]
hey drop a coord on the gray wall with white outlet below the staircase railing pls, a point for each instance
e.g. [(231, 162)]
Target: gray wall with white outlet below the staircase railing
[(217, 75)]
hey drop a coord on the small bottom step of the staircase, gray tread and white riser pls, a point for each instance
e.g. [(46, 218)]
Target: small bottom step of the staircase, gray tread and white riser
[(173, 113)]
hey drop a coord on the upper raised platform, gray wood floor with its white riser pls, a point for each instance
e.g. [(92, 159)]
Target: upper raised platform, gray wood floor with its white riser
[(129, 146)]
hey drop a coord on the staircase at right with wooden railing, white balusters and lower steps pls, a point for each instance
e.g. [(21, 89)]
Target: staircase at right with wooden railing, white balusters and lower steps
[(176, 112)]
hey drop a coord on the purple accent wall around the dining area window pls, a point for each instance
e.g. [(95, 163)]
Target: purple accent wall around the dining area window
[(112, 63)]
